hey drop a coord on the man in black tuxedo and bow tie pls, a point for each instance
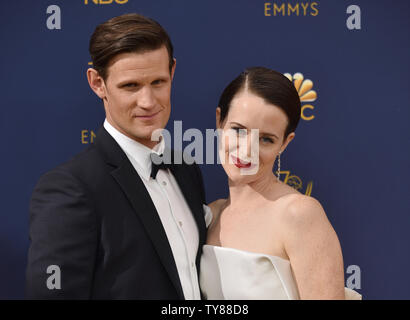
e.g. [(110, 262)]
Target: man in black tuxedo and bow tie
[(109, 221)]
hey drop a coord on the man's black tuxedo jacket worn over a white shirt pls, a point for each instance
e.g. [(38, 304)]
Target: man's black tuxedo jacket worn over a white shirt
[(94, 219)]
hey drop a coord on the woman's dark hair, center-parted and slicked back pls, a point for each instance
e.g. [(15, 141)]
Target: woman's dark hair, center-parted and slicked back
[(271, 86)]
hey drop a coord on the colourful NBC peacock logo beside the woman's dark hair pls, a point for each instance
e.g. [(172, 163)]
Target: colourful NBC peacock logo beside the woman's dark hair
[(306, 94)]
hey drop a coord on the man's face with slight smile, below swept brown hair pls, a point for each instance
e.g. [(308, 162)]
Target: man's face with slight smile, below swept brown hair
[(137, 93)]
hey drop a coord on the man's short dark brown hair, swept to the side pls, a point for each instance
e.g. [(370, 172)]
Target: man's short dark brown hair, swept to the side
[(127, 33)]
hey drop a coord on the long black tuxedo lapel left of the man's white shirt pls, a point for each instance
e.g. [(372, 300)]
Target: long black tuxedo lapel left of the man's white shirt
[(133, 187)]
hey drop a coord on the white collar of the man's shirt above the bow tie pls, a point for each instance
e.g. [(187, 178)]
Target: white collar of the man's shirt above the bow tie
[(137, 153)]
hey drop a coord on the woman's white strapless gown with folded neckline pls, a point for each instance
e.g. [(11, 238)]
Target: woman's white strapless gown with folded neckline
[(232, 274)]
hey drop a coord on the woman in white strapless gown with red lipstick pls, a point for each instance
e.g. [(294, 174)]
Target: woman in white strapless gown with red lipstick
[(267, 240)]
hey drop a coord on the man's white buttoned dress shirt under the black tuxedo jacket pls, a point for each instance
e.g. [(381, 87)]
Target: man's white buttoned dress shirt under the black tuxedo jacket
[(175, 215)]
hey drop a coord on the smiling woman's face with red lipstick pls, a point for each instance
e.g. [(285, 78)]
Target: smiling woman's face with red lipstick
[(248, 155)]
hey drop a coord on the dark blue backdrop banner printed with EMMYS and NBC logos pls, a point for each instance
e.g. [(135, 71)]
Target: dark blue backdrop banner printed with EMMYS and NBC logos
[(348, 59)]
